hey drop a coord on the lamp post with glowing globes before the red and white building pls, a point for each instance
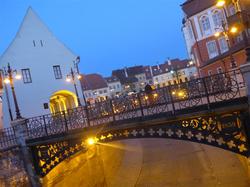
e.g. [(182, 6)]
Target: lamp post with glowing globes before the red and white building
[(226, 32)]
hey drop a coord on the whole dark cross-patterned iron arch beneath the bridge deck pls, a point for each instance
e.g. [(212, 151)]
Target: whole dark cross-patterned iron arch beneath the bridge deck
[(224, 131)]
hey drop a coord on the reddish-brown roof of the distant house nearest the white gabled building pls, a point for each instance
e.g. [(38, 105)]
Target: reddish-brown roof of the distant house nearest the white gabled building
[(93, 82)]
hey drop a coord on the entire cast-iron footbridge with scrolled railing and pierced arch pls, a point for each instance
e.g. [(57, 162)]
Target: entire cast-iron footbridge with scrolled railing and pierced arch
[(211, 110)]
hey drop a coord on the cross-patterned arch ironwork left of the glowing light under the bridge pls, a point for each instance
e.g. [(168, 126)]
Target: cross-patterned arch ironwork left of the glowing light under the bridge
[(48, 156)]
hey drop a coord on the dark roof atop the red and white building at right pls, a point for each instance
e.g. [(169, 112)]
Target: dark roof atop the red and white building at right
[(192, 7)]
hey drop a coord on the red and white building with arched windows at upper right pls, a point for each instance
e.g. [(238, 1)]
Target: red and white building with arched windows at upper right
[(216, 33)]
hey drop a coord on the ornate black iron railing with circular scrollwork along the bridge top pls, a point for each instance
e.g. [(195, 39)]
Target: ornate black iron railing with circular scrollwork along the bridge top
[(186, 97)]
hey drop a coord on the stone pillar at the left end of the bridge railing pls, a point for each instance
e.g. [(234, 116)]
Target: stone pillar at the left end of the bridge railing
[(20, 127)]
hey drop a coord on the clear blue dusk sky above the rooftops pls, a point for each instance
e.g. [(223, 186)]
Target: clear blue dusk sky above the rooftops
[(106, 34)]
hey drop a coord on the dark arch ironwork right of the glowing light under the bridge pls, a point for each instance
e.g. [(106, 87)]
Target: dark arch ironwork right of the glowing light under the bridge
[(224, 131)]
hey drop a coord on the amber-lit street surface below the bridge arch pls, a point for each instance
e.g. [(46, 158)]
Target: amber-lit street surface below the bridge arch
[(151, 162)]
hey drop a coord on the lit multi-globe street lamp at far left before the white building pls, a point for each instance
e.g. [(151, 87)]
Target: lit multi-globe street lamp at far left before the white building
[(8, 79)]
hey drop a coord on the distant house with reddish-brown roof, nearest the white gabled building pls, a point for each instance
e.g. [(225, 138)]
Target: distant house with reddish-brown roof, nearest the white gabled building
[(95, 88)]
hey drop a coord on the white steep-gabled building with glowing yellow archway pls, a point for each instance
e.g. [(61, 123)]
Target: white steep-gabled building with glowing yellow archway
[(44, 62)]
